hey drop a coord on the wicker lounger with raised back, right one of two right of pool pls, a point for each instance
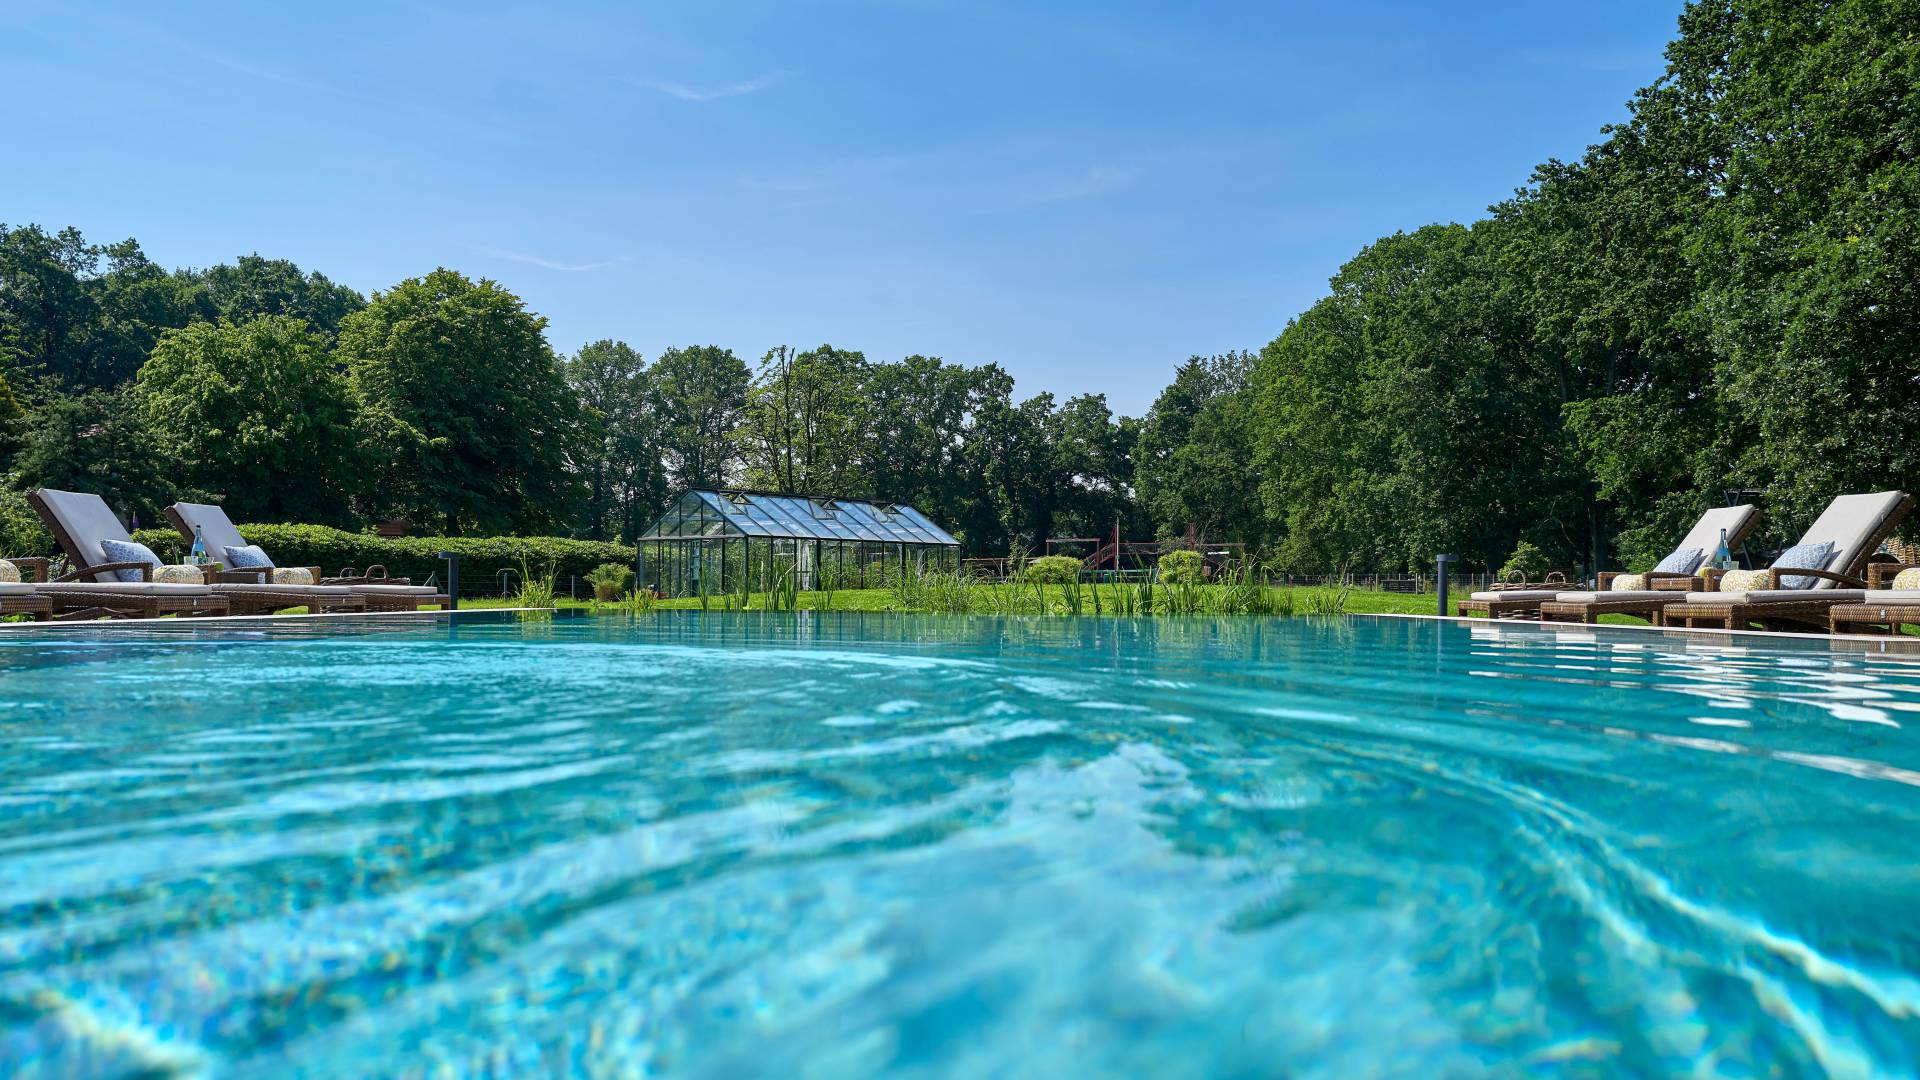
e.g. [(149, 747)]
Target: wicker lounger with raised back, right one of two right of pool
[(1856, 526)]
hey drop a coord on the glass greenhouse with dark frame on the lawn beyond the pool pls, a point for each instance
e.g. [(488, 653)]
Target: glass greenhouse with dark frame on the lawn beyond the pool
[(727, 541)]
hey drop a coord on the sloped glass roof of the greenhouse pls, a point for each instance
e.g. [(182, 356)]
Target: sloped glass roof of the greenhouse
[(713, 514)]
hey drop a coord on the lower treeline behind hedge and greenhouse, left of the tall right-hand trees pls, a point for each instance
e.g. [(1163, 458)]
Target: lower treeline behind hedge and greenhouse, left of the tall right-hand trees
[(293, 399)]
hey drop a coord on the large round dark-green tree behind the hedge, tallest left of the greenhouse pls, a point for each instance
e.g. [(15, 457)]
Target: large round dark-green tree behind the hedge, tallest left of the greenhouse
[(464, 406)]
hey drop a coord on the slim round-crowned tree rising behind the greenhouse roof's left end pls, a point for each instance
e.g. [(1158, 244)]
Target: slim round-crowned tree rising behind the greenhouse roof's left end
[(702, 397)]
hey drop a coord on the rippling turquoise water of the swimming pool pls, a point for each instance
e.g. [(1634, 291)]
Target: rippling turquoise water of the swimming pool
[(942, 847)]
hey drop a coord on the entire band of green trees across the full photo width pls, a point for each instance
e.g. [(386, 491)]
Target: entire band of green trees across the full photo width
[(1721, 295)]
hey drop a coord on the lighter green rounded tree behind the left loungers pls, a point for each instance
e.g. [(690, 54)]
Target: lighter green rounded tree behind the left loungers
[(258, 416)]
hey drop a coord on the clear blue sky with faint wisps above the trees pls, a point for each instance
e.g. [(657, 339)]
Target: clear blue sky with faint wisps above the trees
[(1084, 193)]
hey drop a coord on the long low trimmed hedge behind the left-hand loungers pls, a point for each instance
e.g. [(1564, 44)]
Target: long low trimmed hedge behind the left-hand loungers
[(414, 556)]
